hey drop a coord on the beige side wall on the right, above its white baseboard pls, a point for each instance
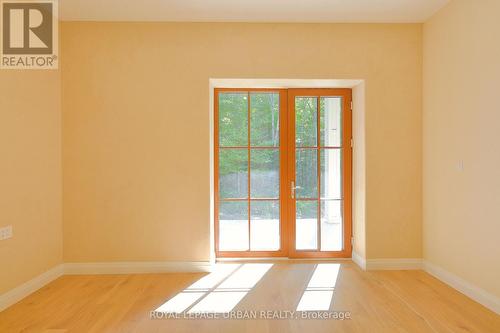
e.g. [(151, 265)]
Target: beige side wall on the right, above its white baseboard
[(462, 123)]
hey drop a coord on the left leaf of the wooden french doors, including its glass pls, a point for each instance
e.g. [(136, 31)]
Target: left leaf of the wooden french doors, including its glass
[(250, 173)]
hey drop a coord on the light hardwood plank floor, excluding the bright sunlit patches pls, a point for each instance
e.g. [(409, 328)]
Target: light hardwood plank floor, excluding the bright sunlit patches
[(381, 301)]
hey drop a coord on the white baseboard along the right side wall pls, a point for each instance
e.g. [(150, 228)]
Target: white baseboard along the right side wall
[(479, 295)]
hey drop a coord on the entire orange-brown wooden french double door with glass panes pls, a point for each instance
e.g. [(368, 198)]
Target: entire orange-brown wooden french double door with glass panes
[(282, 172)]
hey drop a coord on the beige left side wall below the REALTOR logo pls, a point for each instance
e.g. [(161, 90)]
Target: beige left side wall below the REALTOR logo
[(30, 174)]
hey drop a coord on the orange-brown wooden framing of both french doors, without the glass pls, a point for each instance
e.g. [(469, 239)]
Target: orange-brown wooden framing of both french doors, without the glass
[(287, 172)]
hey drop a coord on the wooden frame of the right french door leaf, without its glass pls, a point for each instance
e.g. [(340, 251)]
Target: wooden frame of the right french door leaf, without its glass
[(346, 95)]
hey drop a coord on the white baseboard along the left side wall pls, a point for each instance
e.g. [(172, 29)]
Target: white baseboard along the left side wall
[(15, 295)]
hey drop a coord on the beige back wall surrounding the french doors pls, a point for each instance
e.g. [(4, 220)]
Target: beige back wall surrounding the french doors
[(135, 99)]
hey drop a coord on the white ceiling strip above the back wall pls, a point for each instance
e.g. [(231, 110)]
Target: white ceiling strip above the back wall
[(250, 10)]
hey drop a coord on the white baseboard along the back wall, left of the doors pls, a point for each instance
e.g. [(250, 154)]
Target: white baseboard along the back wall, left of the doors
[(137, 267)]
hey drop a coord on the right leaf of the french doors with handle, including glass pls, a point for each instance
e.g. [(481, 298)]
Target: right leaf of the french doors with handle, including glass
[(319, 172)]
